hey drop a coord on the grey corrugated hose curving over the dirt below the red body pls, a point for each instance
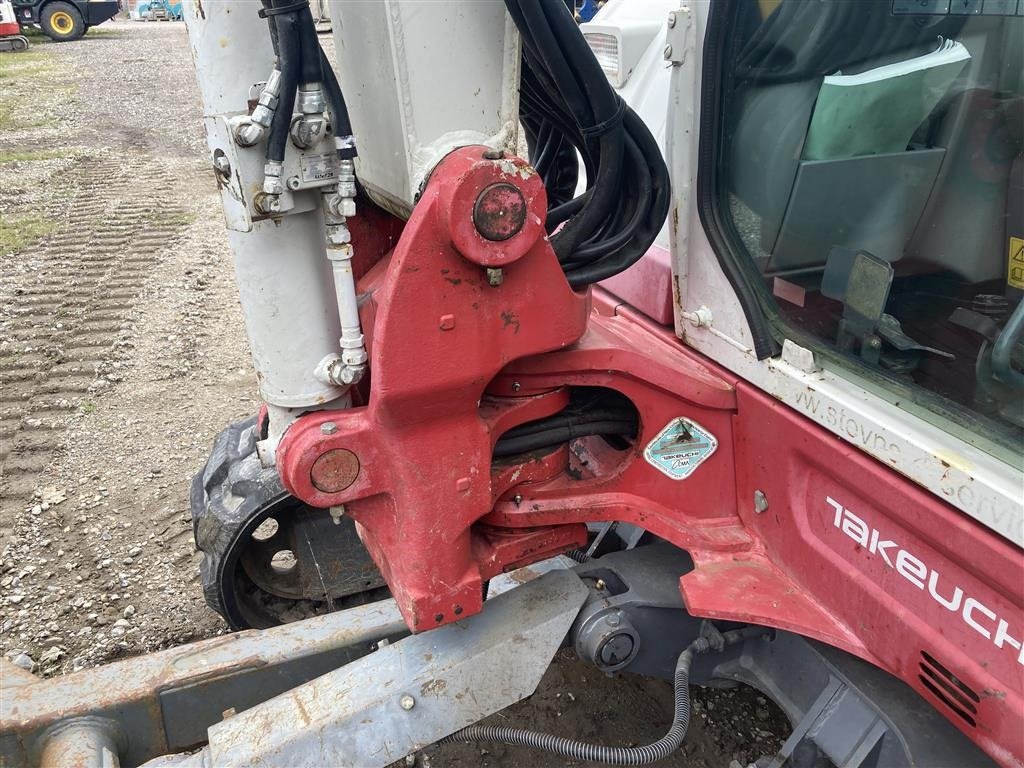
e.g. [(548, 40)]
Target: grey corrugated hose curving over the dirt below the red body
[(584, 751)]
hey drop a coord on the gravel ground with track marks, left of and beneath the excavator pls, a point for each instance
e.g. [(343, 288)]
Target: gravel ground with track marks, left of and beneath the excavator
[(122, 354)]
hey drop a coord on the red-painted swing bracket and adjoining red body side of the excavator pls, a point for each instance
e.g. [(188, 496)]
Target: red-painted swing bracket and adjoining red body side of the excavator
[(847, 551)]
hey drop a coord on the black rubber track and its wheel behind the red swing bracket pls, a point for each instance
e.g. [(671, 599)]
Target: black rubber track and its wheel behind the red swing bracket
[(268, 558)]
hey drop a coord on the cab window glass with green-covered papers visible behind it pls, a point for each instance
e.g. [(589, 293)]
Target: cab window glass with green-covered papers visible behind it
[(874, 168)]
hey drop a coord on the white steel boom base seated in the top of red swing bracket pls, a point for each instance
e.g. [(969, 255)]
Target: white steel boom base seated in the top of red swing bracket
[(414, 96)]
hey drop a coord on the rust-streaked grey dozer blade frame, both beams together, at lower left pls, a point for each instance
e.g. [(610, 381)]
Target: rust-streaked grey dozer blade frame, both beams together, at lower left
[(237, 693)]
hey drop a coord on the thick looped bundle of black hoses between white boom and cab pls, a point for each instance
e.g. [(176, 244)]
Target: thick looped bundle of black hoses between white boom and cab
[(567, 105)]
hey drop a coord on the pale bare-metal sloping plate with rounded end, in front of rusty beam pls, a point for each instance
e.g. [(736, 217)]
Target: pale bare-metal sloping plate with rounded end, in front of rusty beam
[(411, 694)]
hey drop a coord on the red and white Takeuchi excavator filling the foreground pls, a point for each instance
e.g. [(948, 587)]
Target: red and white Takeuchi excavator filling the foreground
[(689, 338)]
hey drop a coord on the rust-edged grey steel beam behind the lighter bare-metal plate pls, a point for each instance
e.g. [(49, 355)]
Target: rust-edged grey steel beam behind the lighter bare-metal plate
[(165, 702)]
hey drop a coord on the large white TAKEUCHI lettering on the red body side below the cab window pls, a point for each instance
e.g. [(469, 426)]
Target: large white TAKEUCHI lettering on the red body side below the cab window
[(946, 592)]
